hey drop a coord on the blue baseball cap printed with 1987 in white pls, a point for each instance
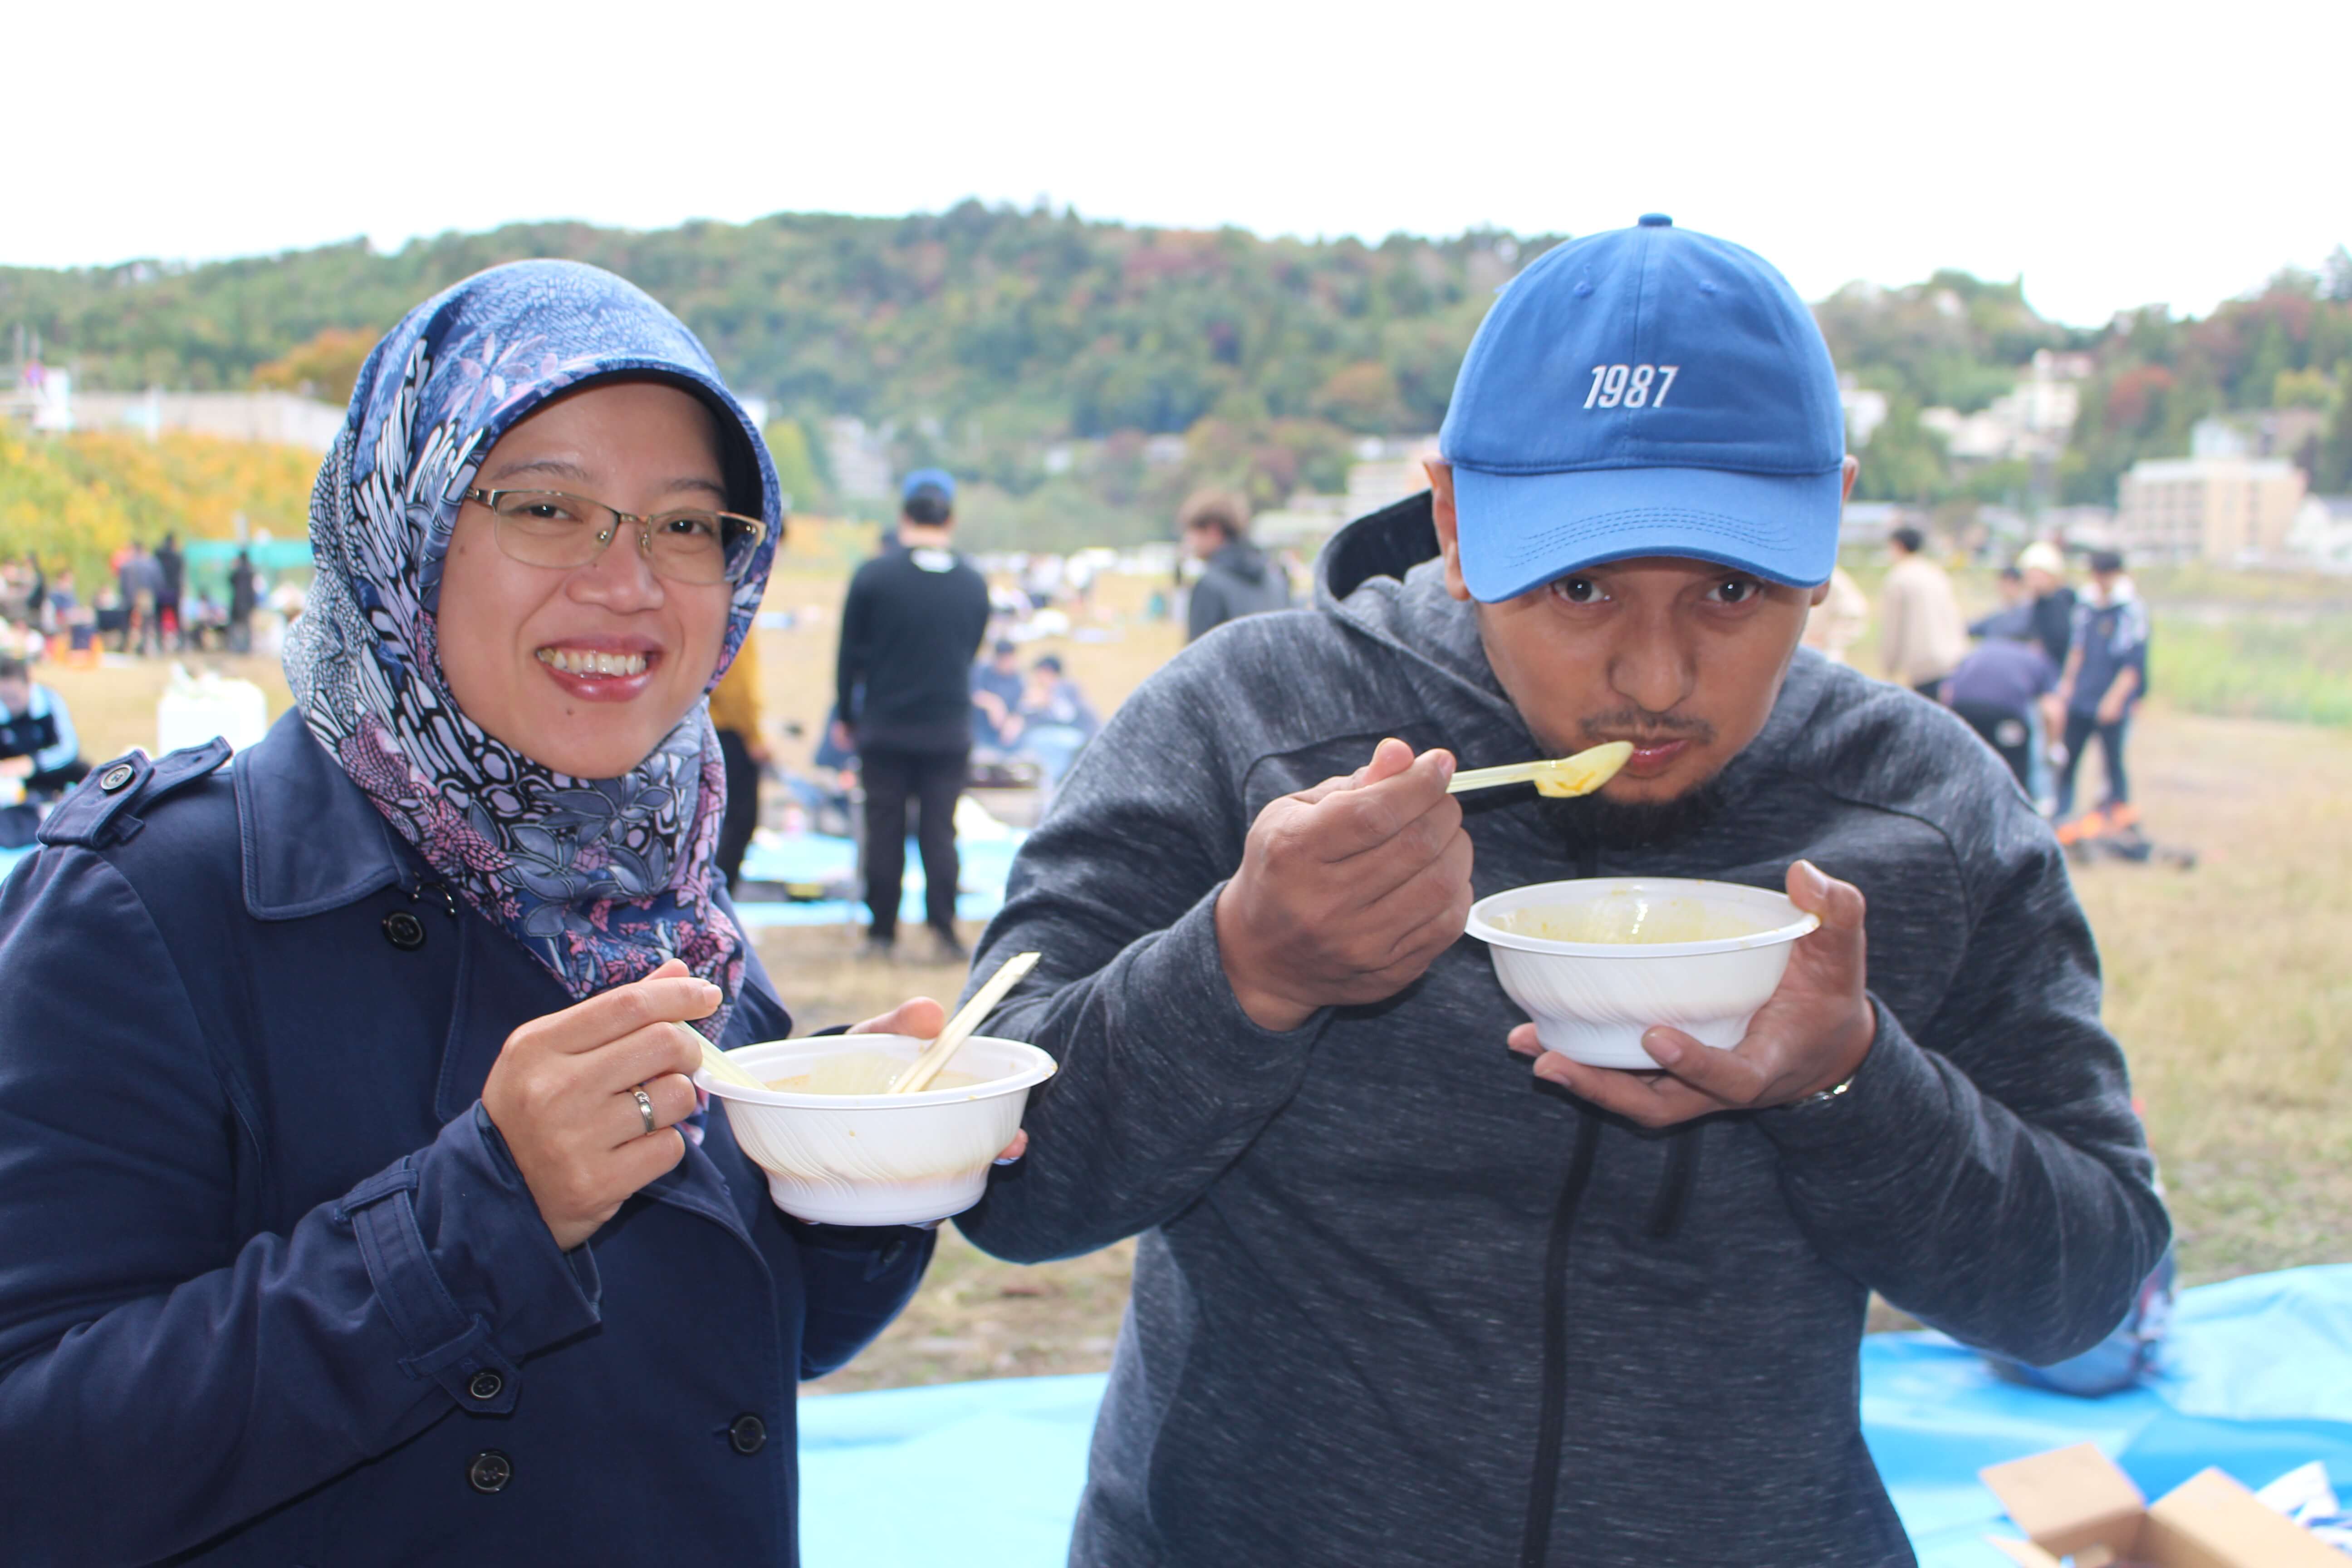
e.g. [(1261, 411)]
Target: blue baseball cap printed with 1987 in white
[(1645, 391)]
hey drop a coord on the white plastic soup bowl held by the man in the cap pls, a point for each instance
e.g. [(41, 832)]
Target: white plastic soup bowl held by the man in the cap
[(1593, 1000)]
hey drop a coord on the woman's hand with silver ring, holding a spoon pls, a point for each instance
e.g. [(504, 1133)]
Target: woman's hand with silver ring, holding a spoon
[(566, 1097)]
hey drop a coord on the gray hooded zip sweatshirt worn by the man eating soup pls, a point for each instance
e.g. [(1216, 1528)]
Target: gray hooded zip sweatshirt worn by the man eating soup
[(1403, 1304)]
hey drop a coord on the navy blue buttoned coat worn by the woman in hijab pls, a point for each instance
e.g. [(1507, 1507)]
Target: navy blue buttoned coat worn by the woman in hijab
[(272, 1289)]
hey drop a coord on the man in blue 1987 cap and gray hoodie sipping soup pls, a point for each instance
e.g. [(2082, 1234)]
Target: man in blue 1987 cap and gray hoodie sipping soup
[(1401, 1301)]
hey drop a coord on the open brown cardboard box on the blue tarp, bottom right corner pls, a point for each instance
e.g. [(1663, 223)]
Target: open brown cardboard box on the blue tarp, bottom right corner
[(2078, 1503)]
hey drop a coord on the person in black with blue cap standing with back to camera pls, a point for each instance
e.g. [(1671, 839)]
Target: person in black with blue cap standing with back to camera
[(911, 626)]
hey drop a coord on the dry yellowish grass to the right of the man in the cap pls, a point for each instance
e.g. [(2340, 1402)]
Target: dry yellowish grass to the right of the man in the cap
[(2229, 986)]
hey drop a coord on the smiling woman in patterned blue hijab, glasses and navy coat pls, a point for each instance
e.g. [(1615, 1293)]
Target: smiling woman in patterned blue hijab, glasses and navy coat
[(354, 1200)]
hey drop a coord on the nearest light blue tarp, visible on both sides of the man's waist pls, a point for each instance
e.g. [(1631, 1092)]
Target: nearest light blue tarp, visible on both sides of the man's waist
[(987, 1475)]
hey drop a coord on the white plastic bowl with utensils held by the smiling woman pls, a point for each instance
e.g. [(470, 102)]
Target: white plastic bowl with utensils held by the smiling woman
[(878, 1160)]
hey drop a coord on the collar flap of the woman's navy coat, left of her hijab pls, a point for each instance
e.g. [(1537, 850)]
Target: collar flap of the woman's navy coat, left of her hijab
[(312, 838)]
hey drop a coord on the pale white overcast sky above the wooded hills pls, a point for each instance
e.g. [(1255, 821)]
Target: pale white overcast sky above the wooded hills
[(2109, 154)]
